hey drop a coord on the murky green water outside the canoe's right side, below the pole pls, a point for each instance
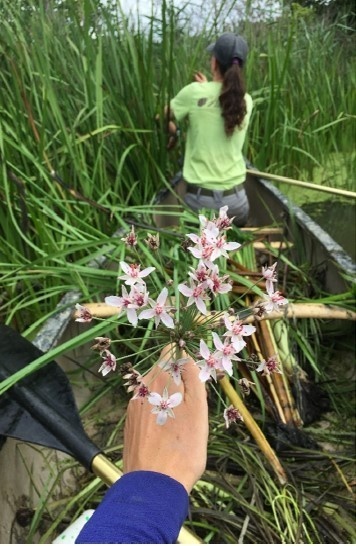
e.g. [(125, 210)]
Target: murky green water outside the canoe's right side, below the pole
[(338, 219)]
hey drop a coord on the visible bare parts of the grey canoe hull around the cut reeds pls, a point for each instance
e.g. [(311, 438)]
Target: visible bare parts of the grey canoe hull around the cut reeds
[(26, 470)]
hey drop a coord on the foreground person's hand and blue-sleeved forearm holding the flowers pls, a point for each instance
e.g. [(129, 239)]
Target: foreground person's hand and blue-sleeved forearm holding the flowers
[(149, 503)]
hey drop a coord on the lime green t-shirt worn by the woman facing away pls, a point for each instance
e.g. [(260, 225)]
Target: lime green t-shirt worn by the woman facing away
[(212, 160)]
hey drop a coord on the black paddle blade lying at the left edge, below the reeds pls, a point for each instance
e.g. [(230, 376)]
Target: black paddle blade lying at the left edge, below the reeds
[(40, 409)]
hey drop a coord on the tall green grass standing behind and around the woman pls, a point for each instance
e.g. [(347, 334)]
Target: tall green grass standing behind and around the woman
[(80, 91)]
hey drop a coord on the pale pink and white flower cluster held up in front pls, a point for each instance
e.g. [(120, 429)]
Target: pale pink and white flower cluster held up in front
[(170, 308)]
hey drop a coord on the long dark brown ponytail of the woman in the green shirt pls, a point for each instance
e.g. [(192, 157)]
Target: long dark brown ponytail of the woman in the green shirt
[(231, 99)]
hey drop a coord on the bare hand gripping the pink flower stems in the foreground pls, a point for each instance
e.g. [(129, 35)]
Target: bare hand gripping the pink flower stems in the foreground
[(179, 447)]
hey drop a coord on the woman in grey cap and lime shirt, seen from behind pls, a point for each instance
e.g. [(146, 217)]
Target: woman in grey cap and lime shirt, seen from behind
[(218, 114)]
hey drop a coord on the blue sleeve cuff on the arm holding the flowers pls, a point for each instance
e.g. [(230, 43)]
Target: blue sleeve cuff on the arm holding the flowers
[(140, 508)]
